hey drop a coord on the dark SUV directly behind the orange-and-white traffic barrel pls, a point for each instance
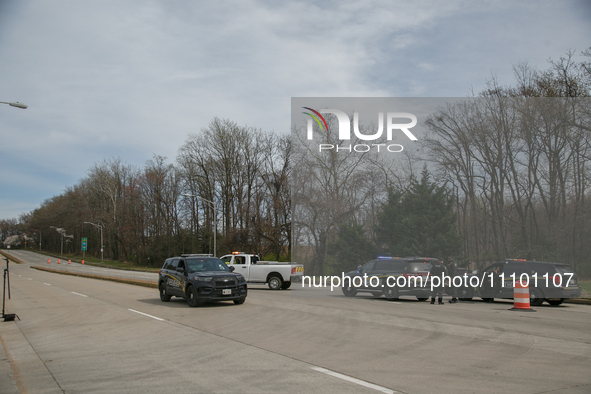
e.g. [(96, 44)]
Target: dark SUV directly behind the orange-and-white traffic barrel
[(547, 281)]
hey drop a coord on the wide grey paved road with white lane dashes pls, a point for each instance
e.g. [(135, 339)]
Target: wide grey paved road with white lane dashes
[(85, 335)]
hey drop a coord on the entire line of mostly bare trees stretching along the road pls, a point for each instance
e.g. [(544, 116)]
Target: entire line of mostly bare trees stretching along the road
[(503, 174)]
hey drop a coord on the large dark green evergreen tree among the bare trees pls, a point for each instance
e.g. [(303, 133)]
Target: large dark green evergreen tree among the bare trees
[(419, 221)]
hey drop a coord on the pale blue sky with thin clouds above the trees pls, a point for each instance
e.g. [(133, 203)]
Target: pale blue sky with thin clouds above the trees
[(130, 79)]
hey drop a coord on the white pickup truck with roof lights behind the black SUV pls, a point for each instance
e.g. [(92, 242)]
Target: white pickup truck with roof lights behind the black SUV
[(277, 275)]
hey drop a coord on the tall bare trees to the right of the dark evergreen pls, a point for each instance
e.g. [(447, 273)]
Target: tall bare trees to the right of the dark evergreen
[(517, 160)]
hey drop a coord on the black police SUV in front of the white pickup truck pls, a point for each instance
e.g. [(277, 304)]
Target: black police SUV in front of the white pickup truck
[(199, 279)]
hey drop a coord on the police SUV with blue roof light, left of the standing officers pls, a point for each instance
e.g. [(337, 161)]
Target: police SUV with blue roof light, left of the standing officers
[(391, 277)]
